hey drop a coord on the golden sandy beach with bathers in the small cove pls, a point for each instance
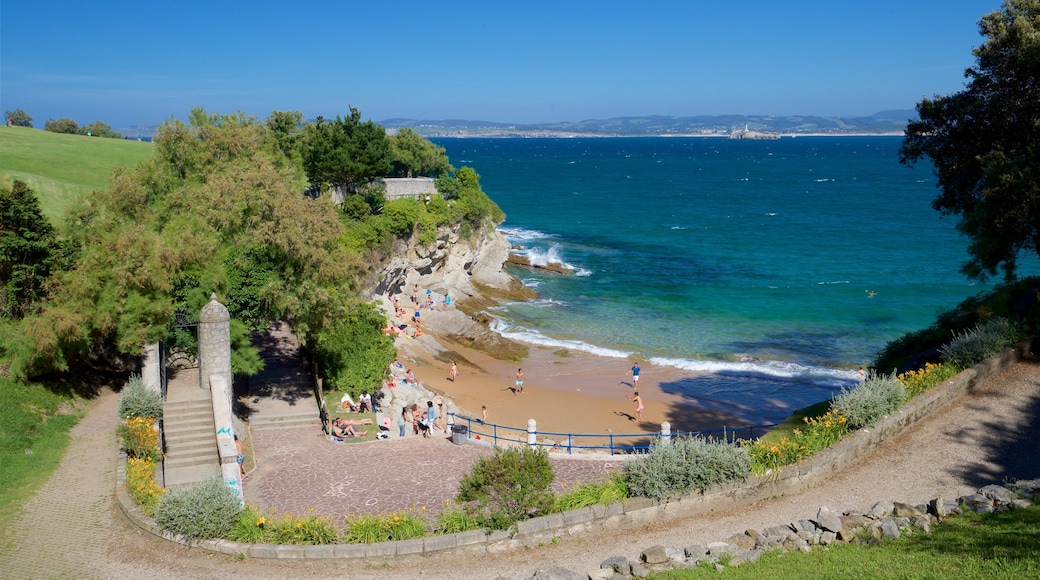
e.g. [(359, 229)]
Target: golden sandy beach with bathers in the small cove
[(565, 392)]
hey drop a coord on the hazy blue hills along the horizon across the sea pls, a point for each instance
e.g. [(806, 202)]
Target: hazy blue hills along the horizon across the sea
[(881, 123)]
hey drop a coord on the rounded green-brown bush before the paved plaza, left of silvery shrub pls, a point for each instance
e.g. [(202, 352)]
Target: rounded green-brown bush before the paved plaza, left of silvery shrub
[(510, 486)]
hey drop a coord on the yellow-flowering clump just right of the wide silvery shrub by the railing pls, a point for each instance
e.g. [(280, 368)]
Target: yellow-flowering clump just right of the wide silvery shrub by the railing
[(820, 433)]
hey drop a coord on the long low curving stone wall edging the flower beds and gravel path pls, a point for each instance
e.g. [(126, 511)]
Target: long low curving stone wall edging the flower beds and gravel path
[(635, 512)]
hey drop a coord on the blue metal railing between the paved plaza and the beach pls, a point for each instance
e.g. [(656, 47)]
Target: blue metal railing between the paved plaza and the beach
[(640, 442)]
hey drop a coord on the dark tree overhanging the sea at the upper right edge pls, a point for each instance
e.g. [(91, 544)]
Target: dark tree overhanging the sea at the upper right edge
[(984, 143)]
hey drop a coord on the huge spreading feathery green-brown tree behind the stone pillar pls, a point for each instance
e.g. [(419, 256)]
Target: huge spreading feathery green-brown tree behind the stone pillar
[(213, 213)]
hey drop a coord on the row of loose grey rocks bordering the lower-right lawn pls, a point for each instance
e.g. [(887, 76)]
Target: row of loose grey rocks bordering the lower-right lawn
[(886, 521)]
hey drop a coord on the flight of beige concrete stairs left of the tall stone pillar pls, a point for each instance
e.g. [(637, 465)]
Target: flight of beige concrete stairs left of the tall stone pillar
[(191, 436)]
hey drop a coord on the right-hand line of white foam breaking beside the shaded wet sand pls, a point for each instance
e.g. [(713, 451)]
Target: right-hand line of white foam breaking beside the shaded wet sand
[(773, 370)]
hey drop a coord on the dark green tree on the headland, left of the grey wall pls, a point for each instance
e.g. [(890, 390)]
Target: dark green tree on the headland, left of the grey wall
[(346, 152)]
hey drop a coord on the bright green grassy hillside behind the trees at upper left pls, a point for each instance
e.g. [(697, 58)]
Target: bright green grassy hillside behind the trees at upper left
[(61, 168)]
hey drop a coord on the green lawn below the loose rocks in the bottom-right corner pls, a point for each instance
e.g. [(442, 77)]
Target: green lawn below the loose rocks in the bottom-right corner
[(1004, 545)]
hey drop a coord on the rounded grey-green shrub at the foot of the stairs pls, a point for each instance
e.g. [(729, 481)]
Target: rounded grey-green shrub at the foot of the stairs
[(202, 512)]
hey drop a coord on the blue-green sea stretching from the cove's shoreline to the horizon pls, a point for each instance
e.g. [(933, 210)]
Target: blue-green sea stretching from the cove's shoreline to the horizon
[(779, 267)]
